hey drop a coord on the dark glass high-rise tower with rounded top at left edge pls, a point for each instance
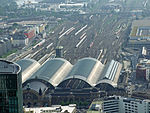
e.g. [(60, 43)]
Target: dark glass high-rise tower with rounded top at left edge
[(10, 88)]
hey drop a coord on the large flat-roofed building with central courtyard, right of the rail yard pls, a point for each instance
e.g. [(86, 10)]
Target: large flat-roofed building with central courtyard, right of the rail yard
[(140, 34)]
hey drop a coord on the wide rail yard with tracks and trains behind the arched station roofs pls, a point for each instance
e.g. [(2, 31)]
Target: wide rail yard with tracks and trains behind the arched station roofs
[(97, 35)]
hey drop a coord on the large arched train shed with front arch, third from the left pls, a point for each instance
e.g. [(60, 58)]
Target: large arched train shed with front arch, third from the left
[(87, 70)]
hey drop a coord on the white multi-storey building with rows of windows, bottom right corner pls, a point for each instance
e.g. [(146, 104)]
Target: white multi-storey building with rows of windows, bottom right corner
[(117, 104)]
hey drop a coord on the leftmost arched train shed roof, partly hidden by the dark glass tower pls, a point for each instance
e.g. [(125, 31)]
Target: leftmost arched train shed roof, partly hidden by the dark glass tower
[(28, 66)]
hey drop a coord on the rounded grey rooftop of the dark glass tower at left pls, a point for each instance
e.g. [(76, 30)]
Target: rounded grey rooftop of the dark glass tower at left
[(8, 67)]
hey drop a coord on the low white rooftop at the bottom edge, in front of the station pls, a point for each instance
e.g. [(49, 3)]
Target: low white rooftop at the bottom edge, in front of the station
[(54, 109)]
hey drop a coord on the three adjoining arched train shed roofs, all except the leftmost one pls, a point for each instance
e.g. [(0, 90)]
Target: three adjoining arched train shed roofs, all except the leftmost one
[(87, 72)]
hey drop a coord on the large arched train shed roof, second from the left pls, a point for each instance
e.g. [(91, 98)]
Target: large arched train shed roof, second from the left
[(53, 71)]
